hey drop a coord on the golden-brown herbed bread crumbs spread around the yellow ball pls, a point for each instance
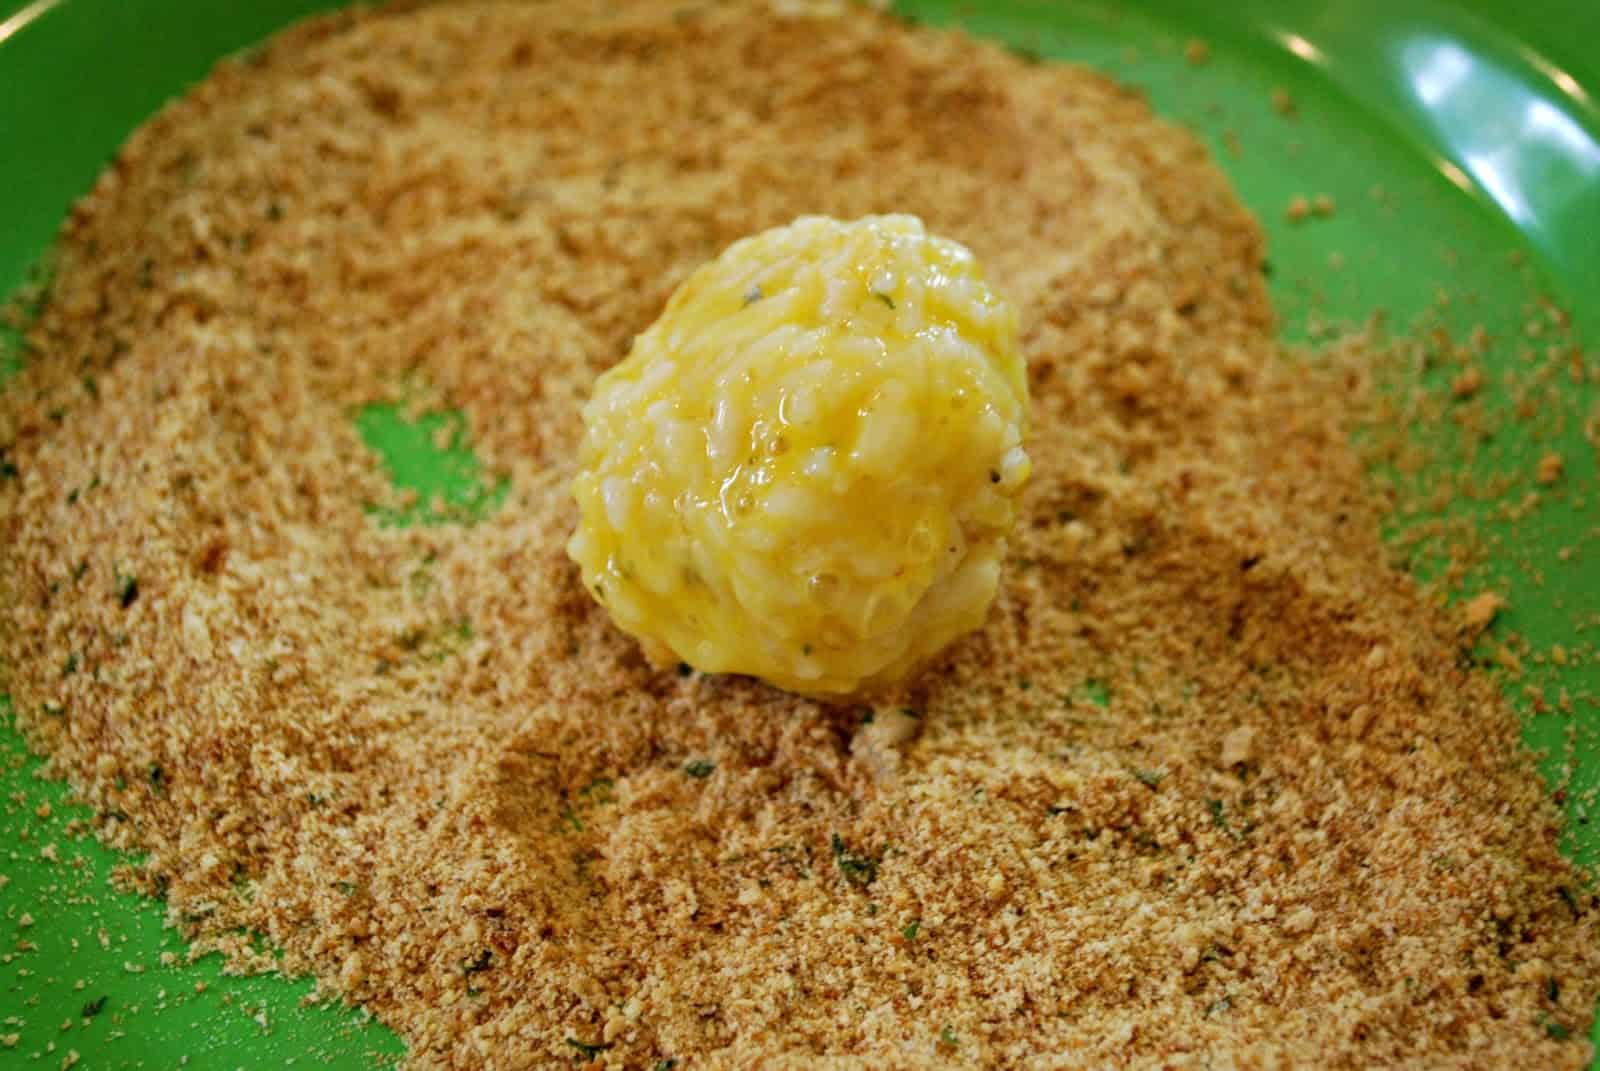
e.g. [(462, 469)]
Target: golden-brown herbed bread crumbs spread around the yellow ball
[(1214, 788)]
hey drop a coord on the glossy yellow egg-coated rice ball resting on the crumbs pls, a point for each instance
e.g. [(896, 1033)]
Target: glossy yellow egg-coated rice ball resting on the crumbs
[(809, 467)]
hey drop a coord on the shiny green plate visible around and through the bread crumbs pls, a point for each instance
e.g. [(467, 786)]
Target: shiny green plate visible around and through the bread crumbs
[(1449, 140)]
